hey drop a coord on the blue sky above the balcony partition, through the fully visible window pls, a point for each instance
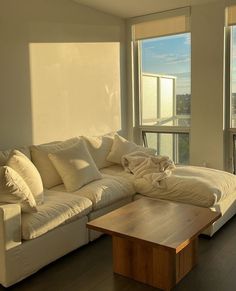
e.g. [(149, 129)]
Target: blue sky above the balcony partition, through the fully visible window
[(169, 56)]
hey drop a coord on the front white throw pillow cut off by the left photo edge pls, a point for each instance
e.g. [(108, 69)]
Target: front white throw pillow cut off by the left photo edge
[(13, 189)]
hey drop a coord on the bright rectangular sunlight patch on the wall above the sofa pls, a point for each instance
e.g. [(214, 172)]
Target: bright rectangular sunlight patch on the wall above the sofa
[(75, 89)]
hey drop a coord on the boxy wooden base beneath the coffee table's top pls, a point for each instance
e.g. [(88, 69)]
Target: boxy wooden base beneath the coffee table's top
[(157, 266)]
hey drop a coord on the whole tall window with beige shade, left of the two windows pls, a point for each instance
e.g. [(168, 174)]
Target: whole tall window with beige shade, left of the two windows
[(164, 69)]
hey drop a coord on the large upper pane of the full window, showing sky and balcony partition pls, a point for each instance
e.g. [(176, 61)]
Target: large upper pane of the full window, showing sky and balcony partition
[(165, 80)]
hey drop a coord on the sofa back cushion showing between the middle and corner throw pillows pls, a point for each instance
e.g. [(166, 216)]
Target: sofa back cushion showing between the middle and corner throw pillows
[(99, 148)]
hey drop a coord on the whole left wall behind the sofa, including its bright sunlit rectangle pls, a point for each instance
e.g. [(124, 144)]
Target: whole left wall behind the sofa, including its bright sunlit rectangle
[(62, 72)]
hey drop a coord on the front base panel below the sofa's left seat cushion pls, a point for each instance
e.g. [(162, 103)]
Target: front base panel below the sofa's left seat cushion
[(27, 258)]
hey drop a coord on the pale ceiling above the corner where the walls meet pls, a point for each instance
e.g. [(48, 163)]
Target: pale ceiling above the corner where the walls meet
[(132, 8)]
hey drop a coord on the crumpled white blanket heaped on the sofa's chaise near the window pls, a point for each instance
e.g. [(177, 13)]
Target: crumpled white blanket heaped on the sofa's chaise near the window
[(151, 168)]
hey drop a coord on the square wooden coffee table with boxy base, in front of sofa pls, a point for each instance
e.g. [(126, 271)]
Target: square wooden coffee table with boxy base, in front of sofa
[(155, 241)]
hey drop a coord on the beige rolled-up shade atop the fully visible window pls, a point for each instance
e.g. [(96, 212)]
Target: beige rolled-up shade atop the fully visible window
[(164, 23)]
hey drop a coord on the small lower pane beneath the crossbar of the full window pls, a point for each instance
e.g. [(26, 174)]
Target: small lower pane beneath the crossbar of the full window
[(173, 145)]
